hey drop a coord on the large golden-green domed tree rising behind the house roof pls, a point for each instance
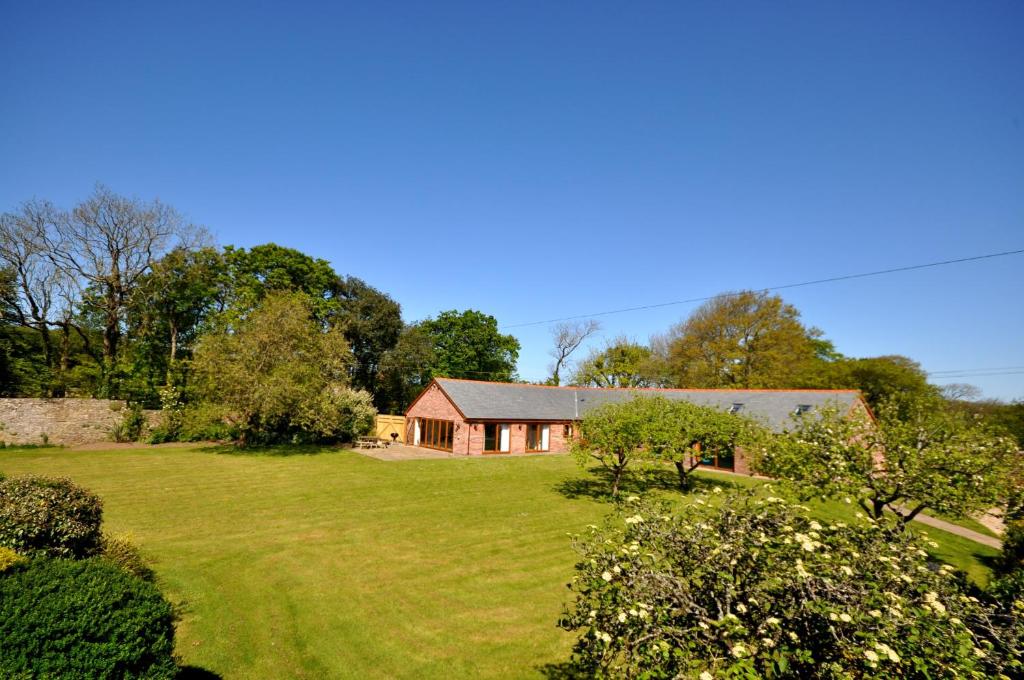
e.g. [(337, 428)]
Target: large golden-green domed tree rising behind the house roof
[(741, 341)]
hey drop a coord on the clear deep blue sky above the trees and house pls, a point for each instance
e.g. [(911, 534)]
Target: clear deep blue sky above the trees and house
[(542, 160)]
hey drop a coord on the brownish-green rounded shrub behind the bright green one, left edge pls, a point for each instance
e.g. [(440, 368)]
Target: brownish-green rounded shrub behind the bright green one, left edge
[(46, 517)]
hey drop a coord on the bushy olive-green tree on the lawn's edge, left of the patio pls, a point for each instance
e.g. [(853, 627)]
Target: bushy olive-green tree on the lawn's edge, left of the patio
[(284, 377)]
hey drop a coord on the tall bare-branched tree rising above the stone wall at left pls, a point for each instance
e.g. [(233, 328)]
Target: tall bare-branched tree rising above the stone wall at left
[(106, 245)]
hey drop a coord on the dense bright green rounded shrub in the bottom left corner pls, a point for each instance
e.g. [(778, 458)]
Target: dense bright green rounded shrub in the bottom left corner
[(83, 619)]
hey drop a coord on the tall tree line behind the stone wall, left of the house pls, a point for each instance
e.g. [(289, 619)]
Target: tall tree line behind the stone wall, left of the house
[(112, 299)]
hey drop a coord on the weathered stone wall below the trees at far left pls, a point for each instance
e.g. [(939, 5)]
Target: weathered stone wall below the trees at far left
[(66, 422)]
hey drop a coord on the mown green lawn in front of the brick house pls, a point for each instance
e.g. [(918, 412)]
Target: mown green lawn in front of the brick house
[(333, 565)]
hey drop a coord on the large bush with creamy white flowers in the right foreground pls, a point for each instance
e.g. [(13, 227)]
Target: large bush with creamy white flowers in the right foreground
[(752, 587)]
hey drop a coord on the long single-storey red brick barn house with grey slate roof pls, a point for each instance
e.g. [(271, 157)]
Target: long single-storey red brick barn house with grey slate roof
[(474, 417)]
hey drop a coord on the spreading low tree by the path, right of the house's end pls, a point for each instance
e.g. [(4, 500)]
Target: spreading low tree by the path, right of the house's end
[(916, 455)]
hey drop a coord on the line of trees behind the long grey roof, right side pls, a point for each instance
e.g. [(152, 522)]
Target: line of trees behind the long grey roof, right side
[(756, 341)]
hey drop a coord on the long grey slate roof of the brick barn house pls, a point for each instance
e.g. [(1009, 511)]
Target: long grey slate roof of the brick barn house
[(490, 401)]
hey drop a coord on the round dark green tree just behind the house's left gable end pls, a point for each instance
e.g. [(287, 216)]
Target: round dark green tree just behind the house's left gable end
[(467, 345)]
